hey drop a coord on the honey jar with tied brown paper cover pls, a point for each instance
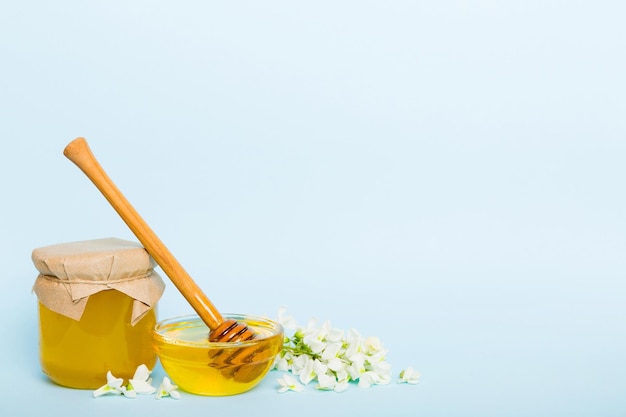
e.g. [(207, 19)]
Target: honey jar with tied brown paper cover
[(97, 304)]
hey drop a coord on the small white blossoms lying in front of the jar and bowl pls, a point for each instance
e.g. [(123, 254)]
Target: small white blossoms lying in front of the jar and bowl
[(140, 383)]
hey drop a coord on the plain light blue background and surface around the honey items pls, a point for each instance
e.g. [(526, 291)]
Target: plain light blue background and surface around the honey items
[(446, 175)]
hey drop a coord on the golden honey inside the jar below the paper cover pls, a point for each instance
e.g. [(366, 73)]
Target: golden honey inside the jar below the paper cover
[(78, 354)]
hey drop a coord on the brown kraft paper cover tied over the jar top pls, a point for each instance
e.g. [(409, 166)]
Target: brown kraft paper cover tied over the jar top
[(70, 272)]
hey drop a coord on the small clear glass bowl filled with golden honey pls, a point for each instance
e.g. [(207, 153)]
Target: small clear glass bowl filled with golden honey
[(216, 368)]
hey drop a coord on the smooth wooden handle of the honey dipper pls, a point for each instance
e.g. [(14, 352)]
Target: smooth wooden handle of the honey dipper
[(78, 151)]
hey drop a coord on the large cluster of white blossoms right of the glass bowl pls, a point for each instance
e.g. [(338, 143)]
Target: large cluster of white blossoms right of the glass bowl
[(330, 356)]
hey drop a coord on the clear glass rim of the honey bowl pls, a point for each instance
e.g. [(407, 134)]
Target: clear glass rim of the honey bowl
[(160, 330)]
